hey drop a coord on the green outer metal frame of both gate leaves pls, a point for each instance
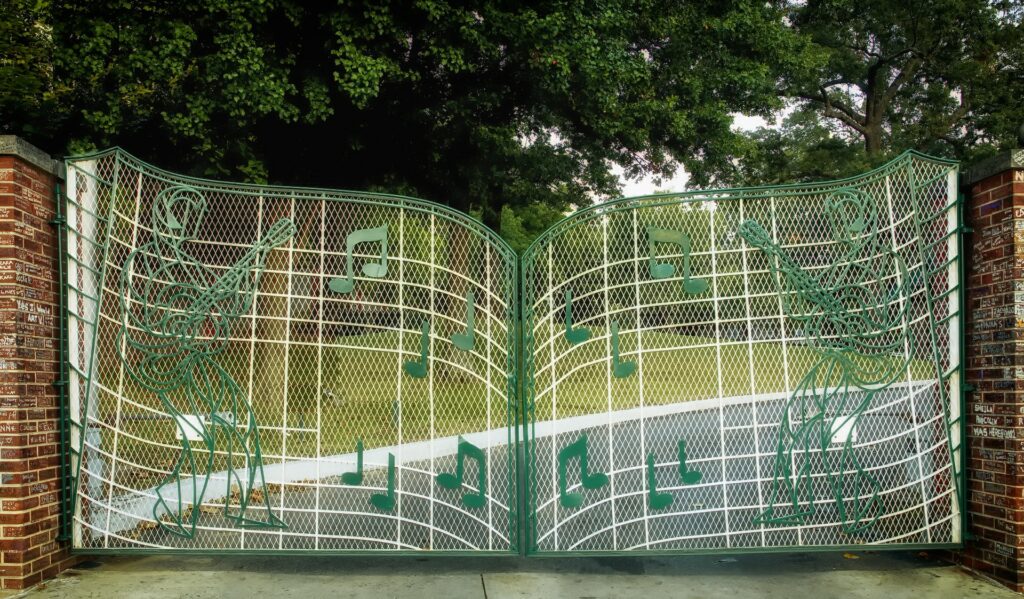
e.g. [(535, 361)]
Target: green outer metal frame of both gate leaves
[(520, 399)]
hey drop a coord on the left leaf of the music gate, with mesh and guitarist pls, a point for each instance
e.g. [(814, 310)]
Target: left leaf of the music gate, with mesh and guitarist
[(229, 392)]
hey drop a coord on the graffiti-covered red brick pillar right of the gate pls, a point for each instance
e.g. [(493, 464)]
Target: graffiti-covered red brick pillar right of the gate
[(996, 368)]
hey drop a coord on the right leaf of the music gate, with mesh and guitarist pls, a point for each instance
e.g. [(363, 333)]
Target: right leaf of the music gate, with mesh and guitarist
[(797, 387)]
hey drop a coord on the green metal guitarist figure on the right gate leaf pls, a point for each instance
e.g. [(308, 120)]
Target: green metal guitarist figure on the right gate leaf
[(864, 350)]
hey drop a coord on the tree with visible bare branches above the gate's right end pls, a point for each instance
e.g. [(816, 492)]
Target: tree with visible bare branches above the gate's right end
[(878, 77)]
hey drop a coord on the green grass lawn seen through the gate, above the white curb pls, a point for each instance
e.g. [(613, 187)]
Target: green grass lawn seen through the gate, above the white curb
[(355, 398)]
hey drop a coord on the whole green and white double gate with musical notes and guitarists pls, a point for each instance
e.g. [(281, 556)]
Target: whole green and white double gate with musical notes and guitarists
[(269, 369)]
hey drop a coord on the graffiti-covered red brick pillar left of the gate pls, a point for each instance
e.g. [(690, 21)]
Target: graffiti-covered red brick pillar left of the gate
[(30, 441)]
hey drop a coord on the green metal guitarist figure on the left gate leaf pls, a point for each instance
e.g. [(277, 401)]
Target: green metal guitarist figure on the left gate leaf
[(178, 315)]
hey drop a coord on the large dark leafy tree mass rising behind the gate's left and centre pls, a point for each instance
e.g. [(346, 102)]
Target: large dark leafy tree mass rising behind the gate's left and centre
[(478, 105)]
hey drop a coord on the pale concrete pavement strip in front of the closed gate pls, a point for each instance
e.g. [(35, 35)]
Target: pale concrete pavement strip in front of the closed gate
[(881, 575)]
